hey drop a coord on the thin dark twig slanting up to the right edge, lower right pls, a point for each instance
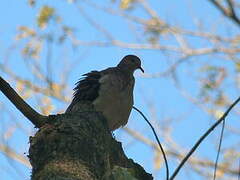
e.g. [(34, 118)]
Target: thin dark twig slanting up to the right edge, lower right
[(202, 138)]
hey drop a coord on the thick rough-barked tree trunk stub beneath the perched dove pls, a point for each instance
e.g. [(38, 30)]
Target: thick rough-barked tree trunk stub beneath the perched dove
[(79, 146)]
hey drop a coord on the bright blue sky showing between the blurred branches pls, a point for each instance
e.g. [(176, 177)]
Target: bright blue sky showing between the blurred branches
[(157, 92)]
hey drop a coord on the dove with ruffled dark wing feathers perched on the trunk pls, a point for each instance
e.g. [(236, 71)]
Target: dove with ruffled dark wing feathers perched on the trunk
[(110, 91)]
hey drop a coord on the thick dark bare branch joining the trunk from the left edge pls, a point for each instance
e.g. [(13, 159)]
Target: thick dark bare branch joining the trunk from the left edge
[(37, 119)]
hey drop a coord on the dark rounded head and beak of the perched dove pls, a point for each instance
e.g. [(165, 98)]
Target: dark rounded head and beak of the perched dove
[(130, 63)]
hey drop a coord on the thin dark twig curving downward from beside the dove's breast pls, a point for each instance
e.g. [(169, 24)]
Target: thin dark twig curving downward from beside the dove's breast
[(161, 148)]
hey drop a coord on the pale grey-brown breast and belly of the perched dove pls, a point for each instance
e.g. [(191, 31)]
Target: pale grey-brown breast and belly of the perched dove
[(115, 100)]
